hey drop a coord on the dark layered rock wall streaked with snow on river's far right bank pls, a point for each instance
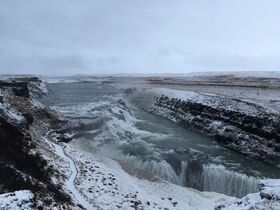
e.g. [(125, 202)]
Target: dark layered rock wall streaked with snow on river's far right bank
[(255, 135)]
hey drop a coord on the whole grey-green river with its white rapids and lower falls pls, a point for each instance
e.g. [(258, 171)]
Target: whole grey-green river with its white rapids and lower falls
[(109, 122)]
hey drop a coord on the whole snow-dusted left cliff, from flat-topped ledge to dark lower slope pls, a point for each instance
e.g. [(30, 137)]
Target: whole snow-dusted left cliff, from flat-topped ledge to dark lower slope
[(22, 165)]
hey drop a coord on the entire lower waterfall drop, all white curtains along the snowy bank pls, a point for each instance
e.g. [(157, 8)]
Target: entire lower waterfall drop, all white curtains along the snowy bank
[(213, 177)]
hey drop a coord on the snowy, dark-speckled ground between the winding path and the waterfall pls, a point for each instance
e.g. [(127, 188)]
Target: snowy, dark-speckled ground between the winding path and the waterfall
[(107, 185)]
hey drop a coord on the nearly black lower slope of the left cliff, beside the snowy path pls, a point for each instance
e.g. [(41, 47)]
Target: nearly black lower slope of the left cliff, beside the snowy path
[(20, 169)]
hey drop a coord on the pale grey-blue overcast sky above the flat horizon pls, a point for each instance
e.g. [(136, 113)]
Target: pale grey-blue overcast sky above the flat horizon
[(144, 36)]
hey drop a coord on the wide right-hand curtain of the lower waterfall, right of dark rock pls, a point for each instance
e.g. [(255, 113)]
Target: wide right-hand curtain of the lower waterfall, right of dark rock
[(217, 178)]
